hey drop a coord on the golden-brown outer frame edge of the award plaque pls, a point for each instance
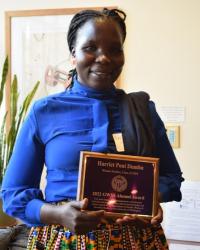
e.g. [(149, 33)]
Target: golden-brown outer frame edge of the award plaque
[(82, 170)]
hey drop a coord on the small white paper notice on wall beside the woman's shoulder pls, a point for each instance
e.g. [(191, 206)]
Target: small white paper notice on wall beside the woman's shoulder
[(172, 114)]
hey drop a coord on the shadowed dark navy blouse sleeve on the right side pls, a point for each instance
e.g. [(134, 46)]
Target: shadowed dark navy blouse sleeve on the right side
[(170, 175)]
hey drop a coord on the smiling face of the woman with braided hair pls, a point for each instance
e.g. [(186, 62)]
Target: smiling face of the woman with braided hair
[(98, 53)]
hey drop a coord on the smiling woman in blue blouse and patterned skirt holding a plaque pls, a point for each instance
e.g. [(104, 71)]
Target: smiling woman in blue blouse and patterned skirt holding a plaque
[(84, 118)]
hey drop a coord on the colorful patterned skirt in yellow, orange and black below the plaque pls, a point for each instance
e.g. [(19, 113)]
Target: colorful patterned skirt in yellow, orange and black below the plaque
[(105, 237)]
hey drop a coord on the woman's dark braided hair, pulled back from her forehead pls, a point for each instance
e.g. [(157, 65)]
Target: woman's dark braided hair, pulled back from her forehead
[(83, 16)]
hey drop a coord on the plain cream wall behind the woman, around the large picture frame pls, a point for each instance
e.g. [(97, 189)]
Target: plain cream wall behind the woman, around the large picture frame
[(162, 58)]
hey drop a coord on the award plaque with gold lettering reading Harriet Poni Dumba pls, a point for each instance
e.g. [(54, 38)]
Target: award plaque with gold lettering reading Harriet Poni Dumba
[(119, 184)]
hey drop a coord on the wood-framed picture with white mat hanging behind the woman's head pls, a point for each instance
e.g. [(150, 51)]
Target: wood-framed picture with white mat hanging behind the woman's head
[(36, 45)]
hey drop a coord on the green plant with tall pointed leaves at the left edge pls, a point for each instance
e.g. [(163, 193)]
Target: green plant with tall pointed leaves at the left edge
[(17, 115)]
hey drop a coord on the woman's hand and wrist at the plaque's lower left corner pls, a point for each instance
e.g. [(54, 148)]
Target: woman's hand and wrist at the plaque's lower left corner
[(72, 215)]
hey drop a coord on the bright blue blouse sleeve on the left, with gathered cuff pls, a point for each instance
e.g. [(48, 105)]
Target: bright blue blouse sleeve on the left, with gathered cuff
[(20, 188)]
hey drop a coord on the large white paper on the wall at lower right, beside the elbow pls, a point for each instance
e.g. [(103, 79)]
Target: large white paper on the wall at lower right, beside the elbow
[(182, 219)]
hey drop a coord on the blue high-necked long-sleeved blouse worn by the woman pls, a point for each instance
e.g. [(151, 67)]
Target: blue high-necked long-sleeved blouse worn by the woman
[(57, 128)]
